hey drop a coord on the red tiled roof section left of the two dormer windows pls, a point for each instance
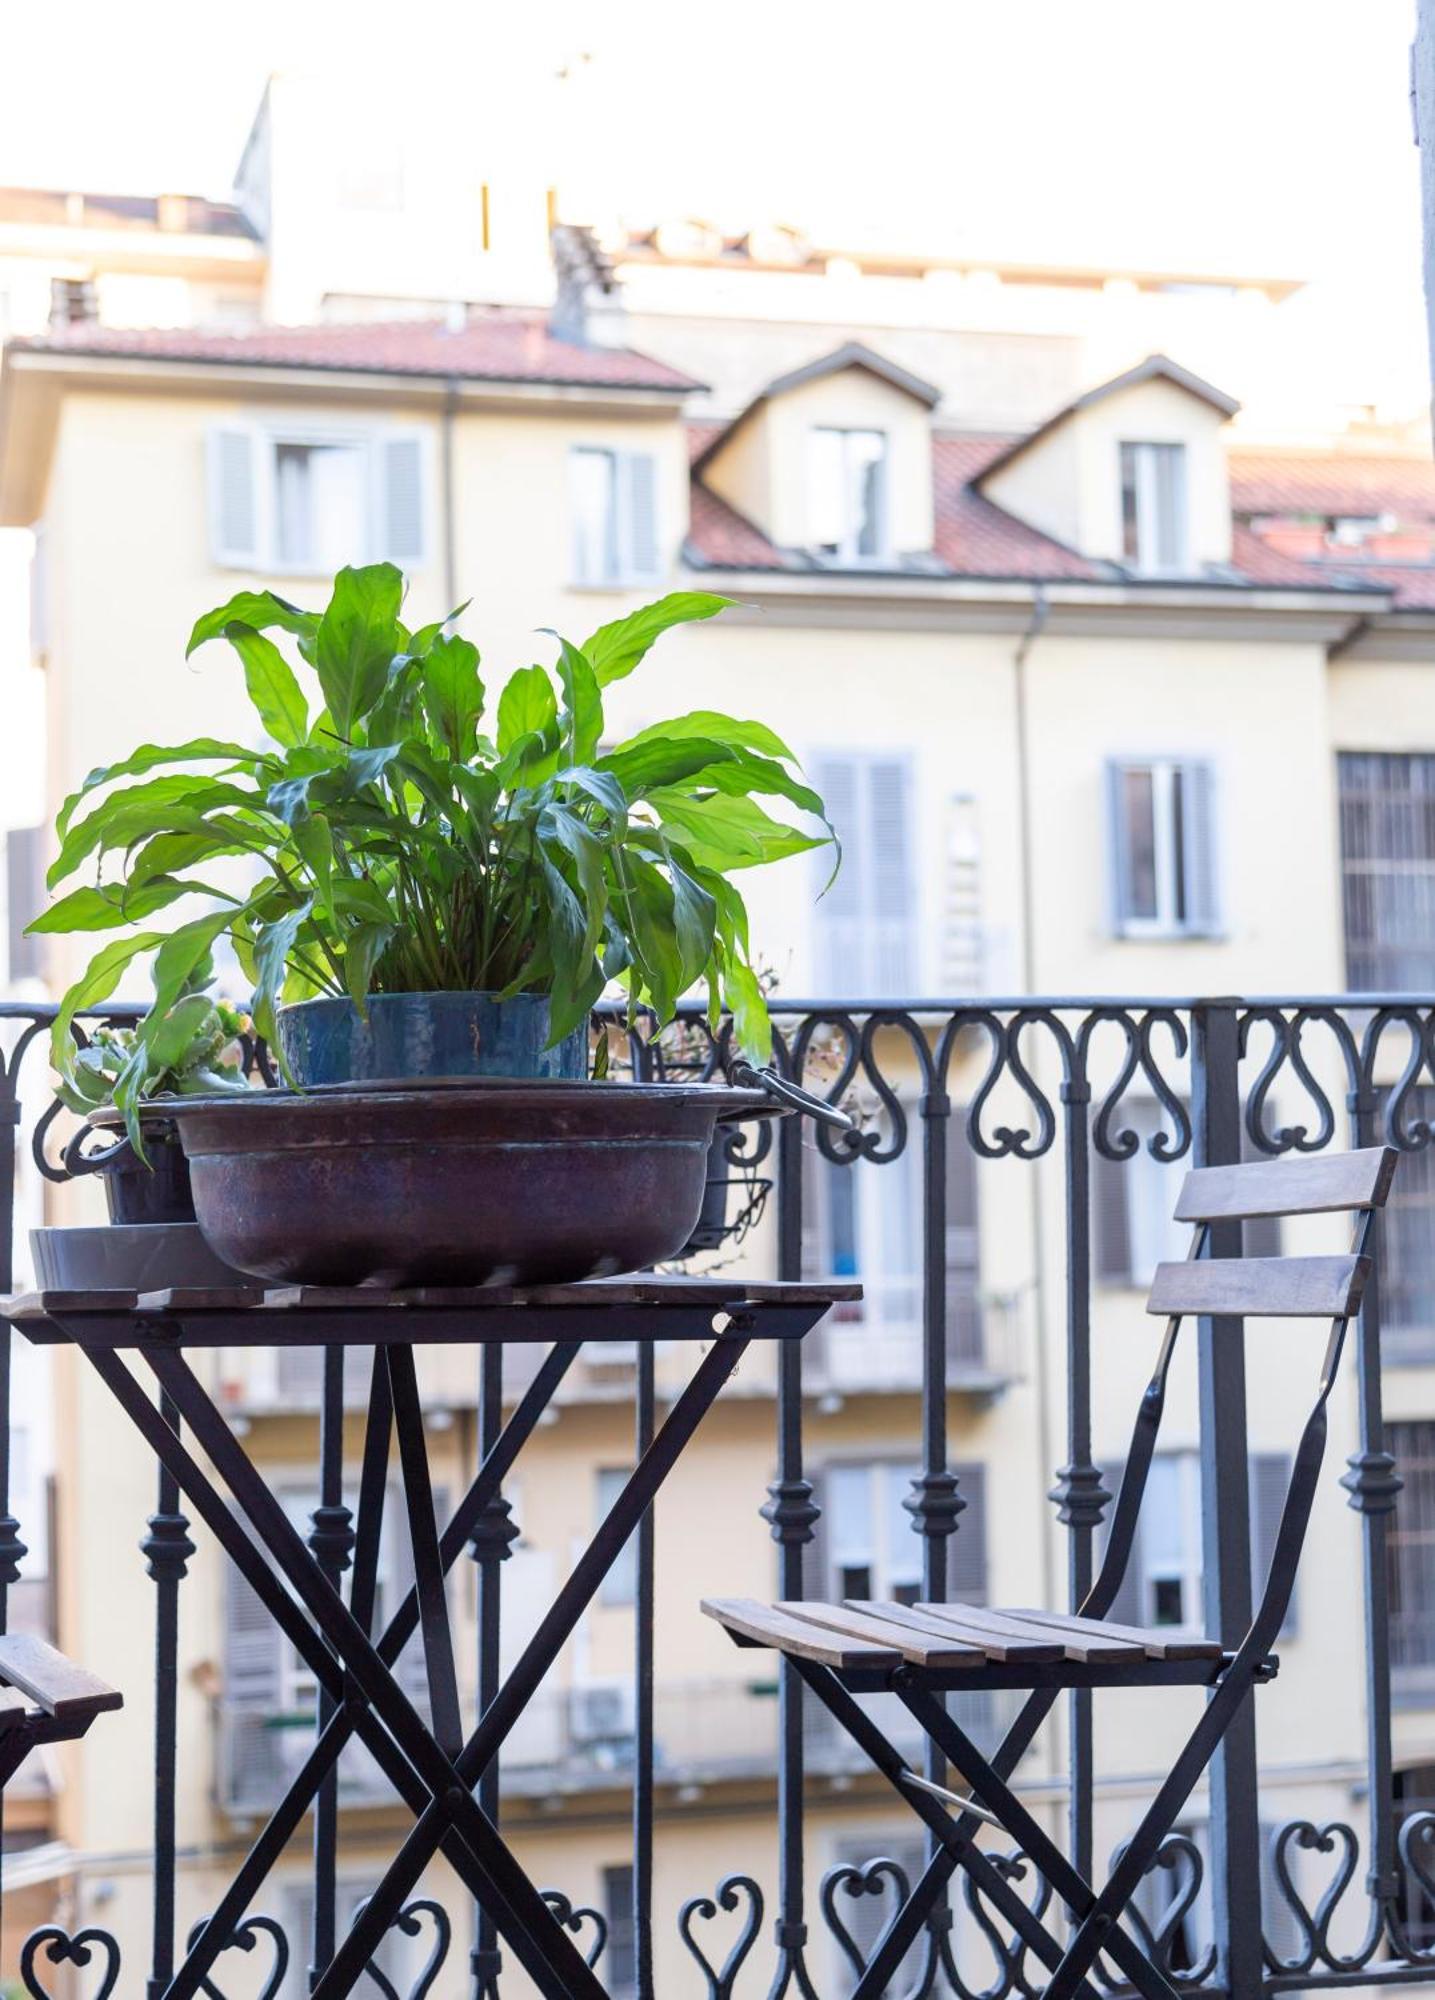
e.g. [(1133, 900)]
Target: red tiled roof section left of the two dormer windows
[(503, 347)]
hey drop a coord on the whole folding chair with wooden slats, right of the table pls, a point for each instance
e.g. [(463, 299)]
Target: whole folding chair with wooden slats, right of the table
[(926, 1651)]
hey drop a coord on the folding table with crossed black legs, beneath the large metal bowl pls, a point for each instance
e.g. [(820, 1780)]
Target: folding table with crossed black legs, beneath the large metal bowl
[(435, 1767)]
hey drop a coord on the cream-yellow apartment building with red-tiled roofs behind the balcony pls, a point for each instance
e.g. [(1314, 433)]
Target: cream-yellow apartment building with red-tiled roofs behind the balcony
[(1110, 691)]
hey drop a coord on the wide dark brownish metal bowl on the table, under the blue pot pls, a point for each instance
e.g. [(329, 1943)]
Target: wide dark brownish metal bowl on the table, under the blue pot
[(455, 1183)]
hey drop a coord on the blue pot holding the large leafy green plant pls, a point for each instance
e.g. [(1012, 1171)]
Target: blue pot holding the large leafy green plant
[(427, 1035)]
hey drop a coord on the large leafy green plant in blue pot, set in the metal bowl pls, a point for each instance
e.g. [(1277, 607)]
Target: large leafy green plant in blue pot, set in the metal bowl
[(447, 883)]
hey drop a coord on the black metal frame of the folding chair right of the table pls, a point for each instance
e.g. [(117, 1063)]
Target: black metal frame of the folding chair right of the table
[(954, 1821)]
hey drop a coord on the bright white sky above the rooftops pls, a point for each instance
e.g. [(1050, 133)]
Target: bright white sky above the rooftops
[(1264, 135)]
